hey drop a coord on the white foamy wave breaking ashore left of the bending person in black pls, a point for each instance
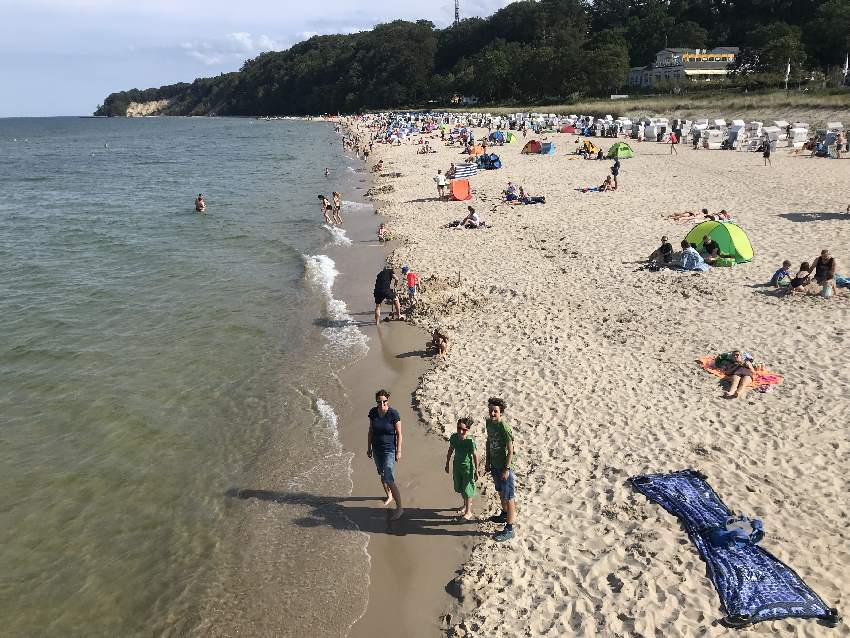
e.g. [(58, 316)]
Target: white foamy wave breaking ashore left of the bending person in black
[(342, 333)]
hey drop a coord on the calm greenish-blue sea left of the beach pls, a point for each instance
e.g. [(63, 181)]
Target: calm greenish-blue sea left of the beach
[(157, 365)]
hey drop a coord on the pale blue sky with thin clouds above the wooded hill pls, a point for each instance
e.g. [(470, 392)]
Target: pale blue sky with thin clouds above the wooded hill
[(63, 57)]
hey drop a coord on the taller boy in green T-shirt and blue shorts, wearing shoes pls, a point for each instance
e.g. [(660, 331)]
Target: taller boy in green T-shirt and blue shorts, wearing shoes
[(500, 454)]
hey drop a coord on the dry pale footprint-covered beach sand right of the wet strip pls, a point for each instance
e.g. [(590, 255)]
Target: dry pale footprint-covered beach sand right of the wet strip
[(596, 361)]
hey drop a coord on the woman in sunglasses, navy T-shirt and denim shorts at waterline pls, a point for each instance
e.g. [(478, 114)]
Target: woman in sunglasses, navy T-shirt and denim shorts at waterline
[(384, 446)]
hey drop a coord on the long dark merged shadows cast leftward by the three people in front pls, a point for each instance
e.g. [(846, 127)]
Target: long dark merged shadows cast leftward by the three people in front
[(350, 513)]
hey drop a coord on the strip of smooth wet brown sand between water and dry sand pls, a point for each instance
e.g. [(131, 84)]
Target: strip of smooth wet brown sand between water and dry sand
[(411, 560)]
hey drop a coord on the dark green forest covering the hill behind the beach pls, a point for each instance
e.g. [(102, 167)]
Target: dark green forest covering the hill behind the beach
[(533, 51)]
